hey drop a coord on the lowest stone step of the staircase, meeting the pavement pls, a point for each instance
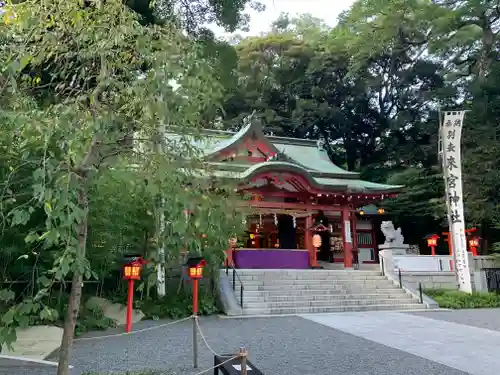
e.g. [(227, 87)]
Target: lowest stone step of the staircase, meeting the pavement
[(331, 309)]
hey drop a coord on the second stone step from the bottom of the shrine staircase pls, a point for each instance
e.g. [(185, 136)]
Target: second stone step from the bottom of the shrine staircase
[(338, 303)]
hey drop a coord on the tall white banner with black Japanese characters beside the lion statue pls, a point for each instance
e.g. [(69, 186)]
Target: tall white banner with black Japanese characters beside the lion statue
[(451, 134)]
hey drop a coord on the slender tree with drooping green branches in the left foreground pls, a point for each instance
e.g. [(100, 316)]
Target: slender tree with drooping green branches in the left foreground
[(82, 93)]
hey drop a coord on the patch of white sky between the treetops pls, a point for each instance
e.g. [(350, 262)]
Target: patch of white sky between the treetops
[(328, 10)]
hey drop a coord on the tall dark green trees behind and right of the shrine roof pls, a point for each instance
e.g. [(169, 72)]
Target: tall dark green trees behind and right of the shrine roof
[(376, 104)]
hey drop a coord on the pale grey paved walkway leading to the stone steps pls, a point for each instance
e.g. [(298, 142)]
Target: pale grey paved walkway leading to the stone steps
[(459, 346)]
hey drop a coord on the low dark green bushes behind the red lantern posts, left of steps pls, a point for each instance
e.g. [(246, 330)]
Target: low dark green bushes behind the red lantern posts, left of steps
[(178, 305)]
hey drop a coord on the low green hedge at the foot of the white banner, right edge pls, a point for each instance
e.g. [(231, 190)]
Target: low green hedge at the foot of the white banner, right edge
[(452, 299)]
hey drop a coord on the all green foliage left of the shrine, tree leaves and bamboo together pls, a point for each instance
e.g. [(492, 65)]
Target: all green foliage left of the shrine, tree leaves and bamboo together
[(89, 168)]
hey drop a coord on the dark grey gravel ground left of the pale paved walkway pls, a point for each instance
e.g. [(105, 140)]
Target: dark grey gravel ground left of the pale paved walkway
[(277, 346)]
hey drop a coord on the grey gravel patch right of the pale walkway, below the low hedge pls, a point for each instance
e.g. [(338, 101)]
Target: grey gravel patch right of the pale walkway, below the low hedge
[(481, 318)]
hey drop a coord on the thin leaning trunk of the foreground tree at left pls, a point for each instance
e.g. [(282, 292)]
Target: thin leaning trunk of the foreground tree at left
[(76, 290)]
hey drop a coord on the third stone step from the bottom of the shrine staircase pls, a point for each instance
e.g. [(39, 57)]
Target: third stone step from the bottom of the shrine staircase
[(322, 297)]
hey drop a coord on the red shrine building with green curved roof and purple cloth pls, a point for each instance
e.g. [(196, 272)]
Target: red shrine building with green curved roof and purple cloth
[(296, 191)]
